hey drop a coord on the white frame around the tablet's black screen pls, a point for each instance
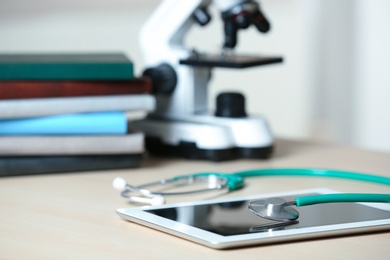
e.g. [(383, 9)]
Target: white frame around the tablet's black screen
[(141, 216)]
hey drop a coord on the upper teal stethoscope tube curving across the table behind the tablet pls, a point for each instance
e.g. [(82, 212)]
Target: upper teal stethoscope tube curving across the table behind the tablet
[(315, 172)]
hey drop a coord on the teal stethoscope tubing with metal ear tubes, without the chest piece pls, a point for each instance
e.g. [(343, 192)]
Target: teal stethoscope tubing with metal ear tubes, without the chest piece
[(235, 181)]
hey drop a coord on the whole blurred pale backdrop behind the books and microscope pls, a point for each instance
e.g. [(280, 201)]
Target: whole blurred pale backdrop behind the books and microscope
[(333, 85)]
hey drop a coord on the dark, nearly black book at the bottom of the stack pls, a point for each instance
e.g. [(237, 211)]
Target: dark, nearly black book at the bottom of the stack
[(27, 165)]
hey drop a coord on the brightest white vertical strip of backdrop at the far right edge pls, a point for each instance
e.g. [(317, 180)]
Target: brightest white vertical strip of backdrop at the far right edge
[(372, 75)]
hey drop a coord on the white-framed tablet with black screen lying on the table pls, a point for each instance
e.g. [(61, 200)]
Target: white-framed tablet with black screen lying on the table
[(227, 223)]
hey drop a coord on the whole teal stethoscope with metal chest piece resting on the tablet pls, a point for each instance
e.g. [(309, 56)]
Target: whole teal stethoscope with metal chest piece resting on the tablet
[(276, 209)]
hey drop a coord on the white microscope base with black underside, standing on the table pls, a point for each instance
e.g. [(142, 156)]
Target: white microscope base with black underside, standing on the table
[(208, 137)]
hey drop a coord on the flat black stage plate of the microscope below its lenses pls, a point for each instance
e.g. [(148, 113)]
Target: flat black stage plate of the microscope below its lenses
[(229, 61)]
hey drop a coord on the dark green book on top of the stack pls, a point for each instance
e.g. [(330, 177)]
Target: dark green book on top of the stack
[(71, 66)]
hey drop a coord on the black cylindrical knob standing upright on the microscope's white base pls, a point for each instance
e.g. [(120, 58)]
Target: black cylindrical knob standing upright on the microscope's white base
[(230, 104)]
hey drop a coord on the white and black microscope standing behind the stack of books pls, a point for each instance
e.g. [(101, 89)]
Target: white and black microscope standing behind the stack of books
[(182, 124)]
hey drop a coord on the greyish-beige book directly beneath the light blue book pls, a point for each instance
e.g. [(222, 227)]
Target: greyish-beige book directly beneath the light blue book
[(131, 143)]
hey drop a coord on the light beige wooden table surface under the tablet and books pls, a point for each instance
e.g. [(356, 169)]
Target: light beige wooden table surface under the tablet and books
[(72, 215)]
